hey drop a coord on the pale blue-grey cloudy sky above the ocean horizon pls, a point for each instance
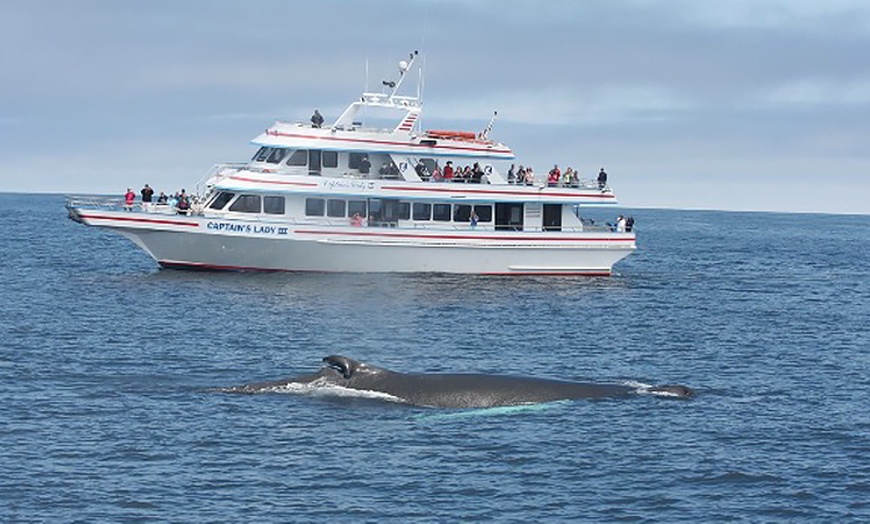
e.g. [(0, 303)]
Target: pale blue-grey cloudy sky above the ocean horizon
[(743, 105)]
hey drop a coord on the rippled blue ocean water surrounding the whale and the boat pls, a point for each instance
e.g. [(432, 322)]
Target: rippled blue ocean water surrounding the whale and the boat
[(108, 364)]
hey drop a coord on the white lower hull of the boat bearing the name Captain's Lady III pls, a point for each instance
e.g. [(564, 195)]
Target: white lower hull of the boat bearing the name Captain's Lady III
[(213, 244)]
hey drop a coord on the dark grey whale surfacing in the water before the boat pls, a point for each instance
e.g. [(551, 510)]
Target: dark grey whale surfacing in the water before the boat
[(457, 390)]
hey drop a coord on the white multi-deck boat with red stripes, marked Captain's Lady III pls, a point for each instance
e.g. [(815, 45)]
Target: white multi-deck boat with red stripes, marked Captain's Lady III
[(356, 196)]
